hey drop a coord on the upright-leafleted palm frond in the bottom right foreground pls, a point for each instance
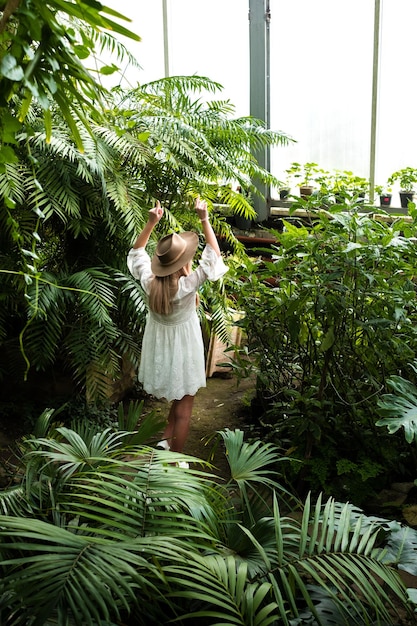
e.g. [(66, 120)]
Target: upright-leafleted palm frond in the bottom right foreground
[(340, 559)]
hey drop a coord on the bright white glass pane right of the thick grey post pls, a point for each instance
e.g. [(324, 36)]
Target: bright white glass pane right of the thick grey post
[(321, 82)]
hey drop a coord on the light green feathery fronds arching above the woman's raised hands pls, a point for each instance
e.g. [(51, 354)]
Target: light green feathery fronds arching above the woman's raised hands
[(198, 146)]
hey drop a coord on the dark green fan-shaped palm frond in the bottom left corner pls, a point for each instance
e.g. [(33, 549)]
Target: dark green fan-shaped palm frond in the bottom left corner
[(93, 578)]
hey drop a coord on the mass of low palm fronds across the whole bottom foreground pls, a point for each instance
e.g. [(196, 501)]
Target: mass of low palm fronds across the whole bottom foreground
[(101, 528)]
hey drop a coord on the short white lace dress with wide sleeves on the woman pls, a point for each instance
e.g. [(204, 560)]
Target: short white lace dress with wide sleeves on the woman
[(172, 360)]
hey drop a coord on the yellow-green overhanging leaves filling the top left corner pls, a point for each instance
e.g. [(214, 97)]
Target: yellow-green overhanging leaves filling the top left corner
[(42, 49)]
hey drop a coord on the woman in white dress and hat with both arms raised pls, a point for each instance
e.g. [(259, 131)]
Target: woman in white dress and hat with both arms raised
[(172, 362)]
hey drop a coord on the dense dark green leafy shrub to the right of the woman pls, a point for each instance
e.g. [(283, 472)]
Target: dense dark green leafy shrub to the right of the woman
[(329, 319)]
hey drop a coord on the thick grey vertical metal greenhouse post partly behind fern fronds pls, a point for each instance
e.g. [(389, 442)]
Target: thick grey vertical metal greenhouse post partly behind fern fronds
[(259, 86)]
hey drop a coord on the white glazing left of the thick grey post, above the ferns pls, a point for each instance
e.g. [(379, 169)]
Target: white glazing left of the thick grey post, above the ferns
[(206, 38)]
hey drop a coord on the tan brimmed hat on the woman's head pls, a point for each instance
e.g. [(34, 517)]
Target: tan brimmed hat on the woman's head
[(173, 252)]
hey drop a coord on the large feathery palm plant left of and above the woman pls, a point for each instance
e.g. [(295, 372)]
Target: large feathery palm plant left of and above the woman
[(67, 219)]
